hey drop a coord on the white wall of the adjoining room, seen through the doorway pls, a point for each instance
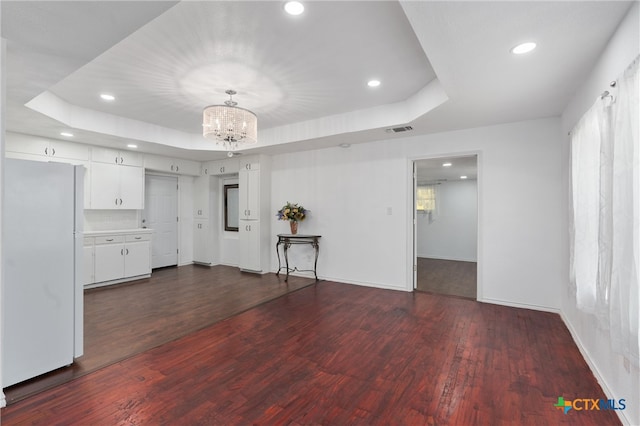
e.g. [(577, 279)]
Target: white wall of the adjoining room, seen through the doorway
[(451, 233)]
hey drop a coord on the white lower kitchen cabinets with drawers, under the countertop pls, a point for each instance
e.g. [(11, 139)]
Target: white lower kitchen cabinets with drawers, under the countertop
[(119, 257)]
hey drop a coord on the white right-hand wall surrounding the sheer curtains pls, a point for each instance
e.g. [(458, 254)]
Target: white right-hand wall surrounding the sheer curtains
[(618, 378)]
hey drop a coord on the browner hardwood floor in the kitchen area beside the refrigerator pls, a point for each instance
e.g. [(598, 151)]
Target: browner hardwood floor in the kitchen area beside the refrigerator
[(126, 319)]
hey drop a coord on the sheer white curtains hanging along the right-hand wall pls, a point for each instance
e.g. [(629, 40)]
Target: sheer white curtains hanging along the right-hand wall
[(605, 202)]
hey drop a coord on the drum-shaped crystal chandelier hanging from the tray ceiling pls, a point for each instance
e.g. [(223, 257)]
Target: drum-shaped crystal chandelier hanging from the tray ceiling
[(229, 125)]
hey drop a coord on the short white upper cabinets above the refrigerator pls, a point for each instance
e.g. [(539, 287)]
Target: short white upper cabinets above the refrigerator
[(41, 149)]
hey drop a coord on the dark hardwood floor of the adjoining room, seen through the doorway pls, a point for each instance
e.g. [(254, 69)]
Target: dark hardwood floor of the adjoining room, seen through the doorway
[(450, 277)]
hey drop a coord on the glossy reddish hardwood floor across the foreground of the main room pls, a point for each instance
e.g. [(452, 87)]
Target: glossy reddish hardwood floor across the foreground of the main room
[(341, 354)]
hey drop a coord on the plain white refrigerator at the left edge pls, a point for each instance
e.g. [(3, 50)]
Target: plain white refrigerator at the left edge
[(42, 263)]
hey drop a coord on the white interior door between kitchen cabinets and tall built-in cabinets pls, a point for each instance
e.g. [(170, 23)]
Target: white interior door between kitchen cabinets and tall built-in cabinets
[(161, 214)]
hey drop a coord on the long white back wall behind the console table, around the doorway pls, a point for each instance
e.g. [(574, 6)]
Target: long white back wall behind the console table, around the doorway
[(361, 199)]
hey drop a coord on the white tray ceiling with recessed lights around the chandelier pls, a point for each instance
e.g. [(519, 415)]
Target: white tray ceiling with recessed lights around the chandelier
[(443, 65)]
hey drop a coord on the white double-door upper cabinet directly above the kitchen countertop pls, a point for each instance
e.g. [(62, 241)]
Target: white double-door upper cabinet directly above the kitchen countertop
[(116, 187)]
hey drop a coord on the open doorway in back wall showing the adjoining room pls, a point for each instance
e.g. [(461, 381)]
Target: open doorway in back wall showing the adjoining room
[(446, 226)]
